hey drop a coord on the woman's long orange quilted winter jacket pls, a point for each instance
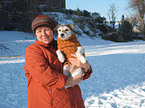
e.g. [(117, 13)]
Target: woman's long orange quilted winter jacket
[(45, 80)]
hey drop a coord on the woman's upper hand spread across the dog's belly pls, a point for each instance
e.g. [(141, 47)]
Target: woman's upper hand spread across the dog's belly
[(75, 61)]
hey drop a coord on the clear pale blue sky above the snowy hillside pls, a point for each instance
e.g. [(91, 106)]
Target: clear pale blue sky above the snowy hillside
[(100, 6)]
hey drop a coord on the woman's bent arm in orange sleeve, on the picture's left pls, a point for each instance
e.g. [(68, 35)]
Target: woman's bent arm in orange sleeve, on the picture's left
[(39, 68)]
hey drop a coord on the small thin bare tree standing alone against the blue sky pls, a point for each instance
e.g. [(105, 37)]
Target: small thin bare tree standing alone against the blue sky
[(111, 14)]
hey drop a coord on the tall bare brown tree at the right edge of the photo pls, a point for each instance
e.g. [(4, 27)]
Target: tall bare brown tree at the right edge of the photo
[(139, 6)]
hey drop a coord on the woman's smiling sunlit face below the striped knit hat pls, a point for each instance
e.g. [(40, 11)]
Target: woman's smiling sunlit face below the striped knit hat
[(44, 34)]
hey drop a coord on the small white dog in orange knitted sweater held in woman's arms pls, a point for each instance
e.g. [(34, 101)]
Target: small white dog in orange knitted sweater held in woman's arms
[(68, 44)]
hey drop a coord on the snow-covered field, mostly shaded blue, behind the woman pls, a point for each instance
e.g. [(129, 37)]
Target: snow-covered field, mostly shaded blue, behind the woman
[(118, 79)]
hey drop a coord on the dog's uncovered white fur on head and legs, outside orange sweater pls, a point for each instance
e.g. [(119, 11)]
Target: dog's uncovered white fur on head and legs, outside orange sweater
[(64, 32)]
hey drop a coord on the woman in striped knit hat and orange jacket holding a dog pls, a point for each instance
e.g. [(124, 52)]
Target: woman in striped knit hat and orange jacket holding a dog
[(43, 71)]
